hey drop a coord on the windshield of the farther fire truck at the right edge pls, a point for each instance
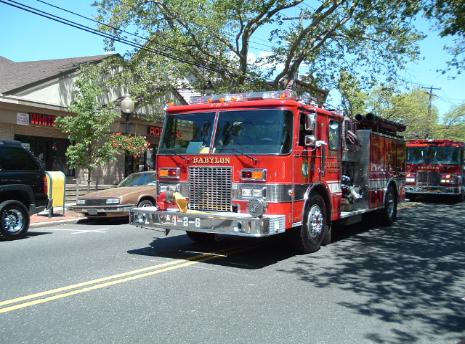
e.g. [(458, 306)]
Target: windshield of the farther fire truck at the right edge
[(433, 155)]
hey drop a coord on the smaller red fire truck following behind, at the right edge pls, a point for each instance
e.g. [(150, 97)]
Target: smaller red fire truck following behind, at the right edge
[(435, 167)]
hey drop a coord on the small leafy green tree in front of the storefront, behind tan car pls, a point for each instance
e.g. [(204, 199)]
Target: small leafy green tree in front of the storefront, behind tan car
[(90, 127)]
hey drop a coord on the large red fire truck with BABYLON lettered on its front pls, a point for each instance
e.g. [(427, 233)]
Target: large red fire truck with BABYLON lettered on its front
[(260, 164)]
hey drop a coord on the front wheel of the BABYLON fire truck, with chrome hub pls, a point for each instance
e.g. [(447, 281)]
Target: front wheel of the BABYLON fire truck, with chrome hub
[(315, 227)]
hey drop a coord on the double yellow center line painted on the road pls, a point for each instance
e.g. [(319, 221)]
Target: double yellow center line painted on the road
[(113, 280)]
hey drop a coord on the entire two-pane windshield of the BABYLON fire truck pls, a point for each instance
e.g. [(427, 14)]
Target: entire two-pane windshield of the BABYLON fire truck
[(266, 131)]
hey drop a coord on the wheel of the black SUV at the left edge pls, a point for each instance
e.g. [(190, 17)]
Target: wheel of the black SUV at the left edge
[(14, 220)]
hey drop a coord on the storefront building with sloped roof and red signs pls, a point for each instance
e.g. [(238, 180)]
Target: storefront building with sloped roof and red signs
[(33, 94)]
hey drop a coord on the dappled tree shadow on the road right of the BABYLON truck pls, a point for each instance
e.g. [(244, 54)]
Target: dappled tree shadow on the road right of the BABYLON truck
[(411, 273)]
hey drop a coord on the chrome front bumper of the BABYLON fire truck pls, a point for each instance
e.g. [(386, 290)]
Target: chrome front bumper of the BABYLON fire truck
[(228, 223)]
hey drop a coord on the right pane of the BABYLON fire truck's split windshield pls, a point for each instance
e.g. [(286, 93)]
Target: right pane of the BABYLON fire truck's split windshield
[(267, 131)]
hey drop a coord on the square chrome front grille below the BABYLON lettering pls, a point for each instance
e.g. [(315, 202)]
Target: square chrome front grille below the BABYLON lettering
[(210, 188)]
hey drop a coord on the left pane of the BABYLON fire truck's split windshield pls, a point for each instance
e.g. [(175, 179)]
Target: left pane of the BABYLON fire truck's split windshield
[(187, 134)]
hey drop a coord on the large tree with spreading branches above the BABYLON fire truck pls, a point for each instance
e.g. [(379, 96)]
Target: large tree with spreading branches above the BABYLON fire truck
[(211, 41)]
